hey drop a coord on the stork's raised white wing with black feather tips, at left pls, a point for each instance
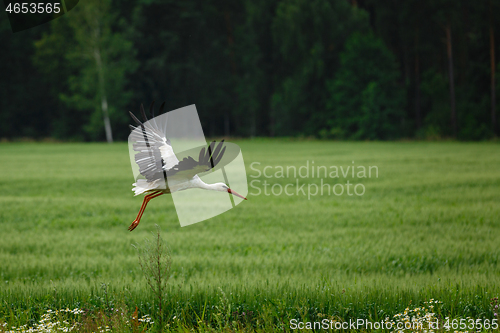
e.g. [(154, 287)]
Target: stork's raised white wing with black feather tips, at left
[(154, 154)]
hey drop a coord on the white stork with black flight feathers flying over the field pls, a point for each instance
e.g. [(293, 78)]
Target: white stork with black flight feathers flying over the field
[(157, 163)]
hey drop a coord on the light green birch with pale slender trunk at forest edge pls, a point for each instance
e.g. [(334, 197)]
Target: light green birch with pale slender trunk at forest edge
[(99, 57)]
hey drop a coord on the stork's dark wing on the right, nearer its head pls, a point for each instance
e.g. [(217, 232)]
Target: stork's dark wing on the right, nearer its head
[(207, 159)]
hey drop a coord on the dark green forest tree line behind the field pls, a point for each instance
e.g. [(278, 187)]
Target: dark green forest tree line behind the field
[(333, 69)]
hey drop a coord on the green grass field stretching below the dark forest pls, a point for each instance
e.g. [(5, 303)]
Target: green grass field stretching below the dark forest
[(427, 227)]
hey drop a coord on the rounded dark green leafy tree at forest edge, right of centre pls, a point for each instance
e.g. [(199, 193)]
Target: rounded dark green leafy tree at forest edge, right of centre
[(366, 100)]
